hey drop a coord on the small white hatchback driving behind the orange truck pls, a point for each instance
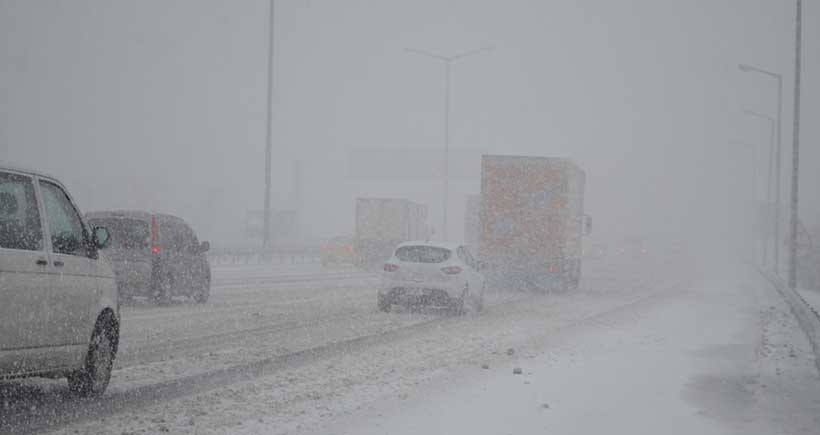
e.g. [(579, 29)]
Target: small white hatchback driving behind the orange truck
[(432, 273)]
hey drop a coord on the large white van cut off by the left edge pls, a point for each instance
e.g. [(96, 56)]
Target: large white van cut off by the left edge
[(59, 315)]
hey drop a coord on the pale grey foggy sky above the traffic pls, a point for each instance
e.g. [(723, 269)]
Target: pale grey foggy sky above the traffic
[(161, 104)]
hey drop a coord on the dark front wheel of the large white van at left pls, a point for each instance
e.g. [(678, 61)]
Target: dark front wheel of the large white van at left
[(93, 378)]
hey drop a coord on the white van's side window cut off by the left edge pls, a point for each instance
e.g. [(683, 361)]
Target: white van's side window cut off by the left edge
[(20, 226)]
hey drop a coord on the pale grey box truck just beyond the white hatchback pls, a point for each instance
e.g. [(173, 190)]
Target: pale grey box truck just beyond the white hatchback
[(381, 224)]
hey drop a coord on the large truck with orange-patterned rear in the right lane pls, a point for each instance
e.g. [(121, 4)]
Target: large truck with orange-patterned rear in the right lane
[(532, 221)]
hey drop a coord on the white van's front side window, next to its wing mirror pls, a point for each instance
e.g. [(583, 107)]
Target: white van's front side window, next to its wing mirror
[(67, 234)]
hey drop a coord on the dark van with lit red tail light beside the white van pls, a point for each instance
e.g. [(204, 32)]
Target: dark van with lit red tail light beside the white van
[(155, 255)]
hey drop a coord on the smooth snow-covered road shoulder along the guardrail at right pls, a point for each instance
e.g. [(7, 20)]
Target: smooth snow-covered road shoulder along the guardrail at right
[(726, 358)]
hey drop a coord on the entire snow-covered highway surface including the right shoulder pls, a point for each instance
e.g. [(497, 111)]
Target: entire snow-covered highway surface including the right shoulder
[(303, 351)]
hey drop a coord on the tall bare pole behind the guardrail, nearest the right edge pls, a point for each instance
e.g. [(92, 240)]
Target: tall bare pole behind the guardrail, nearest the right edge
[(795, 147)]
